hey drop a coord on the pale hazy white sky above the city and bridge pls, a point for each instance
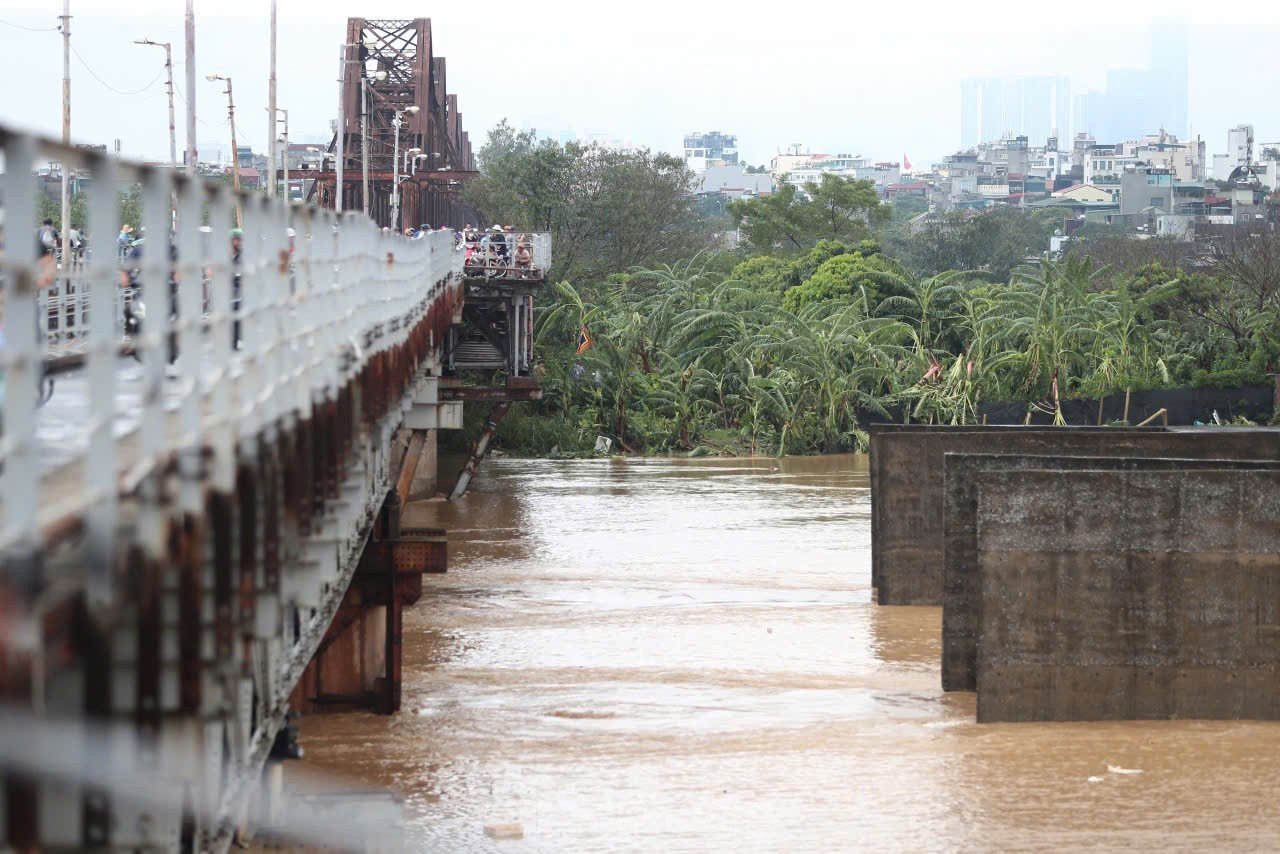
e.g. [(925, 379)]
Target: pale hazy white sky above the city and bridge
[(874, 79)]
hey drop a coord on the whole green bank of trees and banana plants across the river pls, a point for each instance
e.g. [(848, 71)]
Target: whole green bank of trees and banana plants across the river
[(835, 312)]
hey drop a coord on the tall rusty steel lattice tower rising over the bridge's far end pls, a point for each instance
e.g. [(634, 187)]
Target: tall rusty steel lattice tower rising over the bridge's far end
[(414, 77)]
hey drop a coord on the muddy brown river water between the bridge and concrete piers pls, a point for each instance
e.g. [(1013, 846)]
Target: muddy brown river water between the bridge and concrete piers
[(684, 656)]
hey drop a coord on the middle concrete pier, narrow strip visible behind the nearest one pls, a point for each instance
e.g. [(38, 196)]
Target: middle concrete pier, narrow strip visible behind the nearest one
[(962, 605)]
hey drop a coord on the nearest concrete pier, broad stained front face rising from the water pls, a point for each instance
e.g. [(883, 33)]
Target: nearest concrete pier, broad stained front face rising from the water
[(1130, 595)]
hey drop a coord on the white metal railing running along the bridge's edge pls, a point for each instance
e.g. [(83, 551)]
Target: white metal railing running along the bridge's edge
[(316, 308)]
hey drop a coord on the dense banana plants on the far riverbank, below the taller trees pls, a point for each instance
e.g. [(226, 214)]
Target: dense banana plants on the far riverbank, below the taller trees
[(692, 355)]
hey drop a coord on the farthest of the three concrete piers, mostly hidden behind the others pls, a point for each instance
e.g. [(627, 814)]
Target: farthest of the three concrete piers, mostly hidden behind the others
[(908, 483)]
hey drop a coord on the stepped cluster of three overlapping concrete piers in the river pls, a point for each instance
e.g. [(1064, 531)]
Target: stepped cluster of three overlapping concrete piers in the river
[(1089, 574)]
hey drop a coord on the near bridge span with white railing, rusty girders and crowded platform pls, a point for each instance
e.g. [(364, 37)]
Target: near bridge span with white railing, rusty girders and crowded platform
[(205, 505)]
